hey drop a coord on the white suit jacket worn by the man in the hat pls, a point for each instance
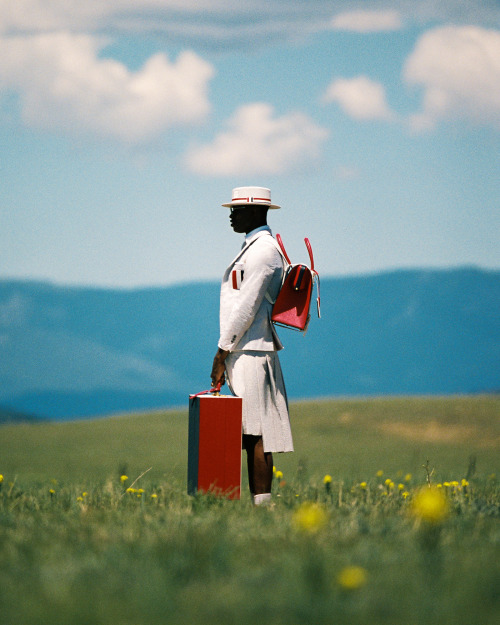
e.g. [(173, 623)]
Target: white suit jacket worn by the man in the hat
[(245, 312)]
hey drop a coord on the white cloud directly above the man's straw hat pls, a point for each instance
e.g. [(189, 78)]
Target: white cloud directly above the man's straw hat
[(258, 142)]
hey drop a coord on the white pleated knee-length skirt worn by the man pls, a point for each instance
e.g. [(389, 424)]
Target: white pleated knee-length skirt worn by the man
[(257, 378)]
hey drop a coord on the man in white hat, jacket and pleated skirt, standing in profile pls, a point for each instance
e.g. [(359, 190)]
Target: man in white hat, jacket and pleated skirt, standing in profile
[(248, 344)]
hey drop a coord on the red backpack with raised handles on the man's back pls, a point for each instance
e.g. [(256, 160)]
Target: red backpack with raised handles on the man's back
[(291, 308)]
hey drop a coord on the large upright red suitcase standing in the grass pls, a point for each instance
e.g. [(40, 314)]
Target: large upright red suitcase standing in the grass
[(214, 444)]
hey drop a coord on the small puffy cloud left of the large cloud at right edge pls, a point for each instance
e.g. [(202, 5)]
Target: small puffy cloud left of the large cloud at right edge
[(360, 98)]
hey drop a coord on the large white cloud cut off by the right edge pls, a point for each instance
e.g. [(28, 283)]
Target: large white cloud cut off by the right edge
[(459, 70)]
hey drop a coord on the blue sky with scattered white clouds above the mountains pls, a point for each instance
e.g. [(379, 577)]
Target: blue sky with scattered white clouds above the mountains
[(124, 125)]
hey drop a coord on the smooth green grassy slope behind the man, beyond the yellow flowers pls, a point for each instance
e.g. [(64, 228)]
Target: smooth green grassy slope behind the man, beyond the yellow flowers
[(348, 438)]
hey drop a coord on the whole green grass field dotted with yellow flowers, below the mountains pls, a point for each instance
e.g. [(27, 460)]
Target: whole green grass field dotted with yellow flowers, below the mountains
[(77, 548)]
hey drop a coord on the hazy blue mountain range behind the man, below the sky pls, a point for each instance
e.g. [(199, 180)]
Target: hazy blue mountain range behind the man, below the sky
[(78, 352)]
